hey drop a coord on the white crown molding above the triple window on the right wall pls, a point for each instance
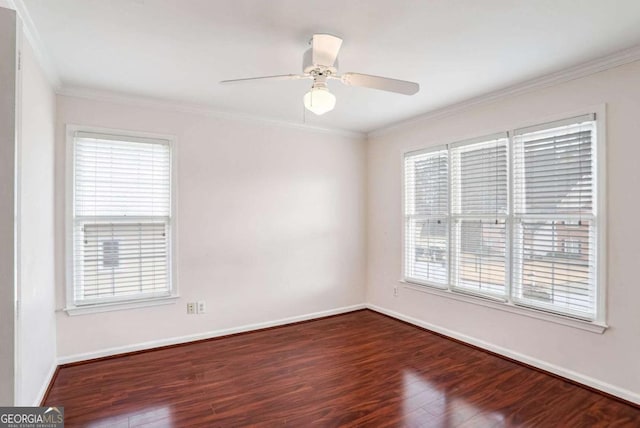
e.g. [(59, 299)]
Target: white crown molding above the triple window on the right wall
[(588, 68)]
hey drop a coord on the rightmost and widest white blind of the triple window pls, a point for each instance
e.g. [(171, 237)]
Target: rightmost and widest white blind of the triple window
[(555, 233)]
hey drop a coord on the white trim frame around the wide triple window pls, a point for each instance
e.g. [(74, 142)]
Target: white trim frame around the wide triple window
[(597, 325)]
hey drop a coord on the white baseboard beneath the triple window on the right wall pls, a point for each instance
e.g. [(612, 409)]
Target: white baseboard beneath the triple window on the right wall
[(560, 371)]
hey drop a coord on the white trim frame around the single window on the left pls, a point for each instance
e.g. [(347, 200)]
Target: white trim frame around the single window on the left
[(119, 303)]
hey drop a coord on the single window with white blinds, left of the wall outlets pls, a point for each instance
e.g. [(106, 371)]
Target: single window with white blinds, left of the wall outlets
[(121, 216)]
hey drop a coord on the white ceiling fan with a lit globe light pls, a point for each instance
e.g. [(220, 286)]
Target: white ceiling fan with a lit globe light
[(320, 63)]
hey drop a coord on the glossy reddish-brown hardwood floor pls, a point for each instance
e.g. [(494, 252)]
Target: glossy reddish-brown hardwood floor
[(357, 369)]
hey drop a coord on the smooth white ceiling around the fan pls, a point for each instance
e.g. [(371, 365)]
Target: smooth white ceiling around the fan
[(179, 50)]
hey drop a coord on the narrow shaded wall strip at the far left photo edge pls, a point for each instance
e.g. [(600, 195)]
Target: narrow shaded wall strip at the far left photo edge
[(7, 184)]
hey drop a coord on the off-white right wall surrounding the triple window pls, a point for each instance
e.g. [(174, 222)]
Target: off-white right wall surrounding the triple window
[(610, 360)]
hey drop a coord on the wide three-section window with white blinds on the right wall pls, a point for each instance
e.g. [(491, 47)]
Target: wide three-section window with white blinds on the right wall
[(516, 216)]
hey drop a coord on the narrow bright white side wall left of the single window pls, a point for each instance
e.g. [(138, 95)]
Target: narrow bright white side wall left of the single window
[(36, 336)]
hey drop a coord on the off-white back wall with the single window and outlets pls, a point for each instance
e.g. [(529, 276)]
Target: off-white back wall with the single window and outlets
[(270, 224)]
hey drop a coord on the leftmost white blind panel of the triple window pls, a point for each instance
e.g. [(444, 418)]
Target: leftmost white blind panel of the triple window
[(427, 217)]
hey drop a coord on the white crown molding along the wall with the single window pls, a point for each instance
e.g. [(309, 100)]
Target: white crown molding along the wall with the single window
[(196, 109)]
